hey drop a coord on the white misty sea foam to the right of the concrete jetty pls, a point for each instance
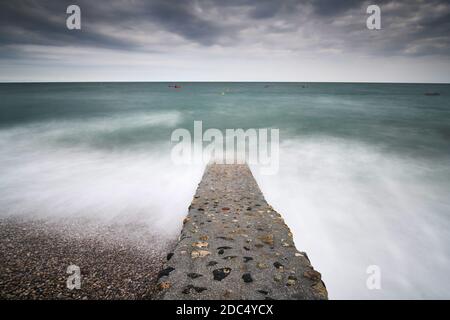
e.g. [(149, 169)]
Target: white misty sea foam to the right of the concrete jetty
[(351, 206)]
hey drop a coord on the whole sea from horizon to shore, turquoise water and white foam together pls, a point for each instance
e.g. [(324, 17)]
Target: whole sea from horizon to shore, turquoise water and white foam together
[(364, 173)]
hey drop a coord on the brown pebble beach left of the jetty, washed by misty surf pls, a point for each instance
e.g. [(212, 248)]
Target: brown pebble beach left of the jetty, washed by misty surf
[(117, 261)]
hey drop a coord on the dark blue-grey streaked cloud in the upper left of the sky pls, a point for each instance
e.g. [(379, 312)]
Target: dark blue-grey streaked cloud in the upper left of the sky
[(43, 21)]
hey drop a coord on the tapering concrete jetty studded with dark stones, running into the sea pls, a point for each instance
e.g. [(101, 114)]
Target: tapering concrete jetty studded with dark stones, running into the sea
[(233, 245)]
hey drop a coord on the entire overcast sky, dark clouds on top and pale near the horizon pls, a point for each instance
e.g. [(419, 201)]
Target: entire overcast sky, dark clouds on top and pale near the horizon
[(218, 40)]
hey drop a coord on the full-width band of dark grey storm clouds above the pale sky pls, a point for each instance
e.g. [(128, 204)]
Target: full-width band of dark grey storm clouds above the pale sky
[(409, 27)]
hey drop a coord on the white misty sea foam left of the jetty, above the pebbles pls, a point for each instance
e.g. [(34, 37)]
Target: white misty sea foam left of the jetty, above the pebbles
[(41, 178)]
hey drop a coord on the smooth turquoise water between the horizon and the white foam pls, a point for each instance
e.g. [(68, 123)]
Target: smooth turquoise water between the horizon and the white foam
[(394, 116)]
